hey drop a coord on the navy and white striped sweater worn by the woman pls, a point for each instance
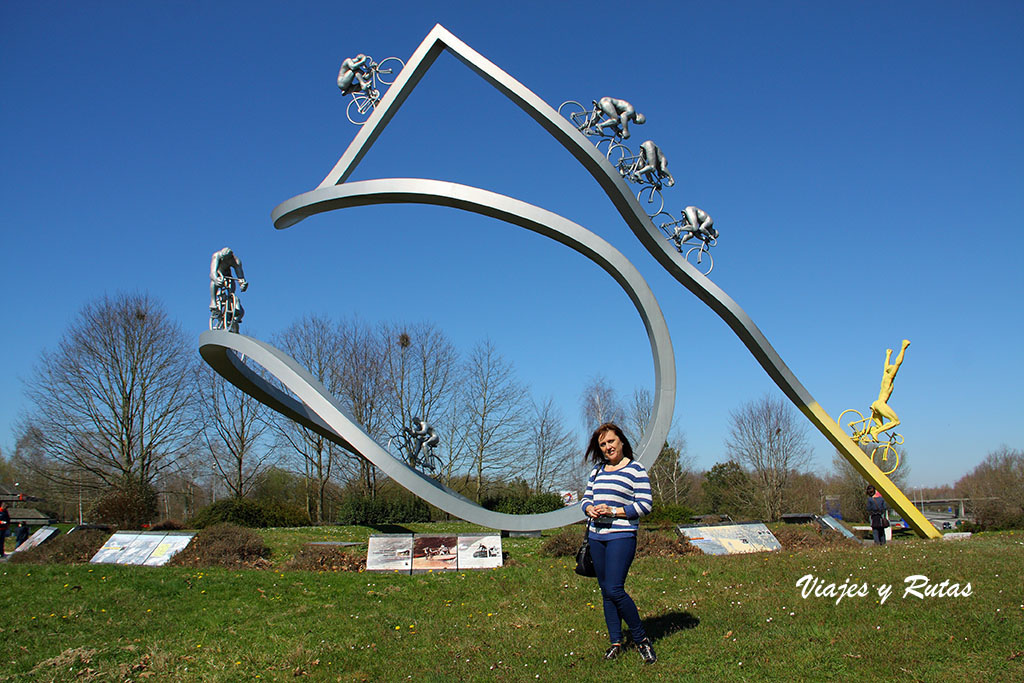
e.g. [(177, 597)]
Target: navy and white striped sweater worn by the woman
[(628, 489)]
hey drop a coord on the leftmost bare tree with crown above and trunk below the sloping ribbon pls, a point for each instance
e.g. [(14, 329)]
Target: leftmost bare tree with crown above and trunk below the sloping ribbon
[(315, 344)]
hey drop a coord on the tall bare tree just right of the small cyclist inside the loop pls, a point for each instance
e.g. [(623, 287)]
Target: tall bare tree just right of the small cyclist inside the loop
[(493, 410)]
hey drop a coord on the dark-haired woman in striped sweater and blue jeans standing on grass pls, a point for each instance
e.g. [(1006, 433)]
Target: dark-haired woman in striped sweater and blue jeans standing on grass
[(618, 495)]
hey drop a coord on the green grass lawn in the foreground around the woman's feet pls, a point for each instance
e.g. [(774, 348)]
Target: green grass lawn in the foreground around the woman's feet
[(714, 619)]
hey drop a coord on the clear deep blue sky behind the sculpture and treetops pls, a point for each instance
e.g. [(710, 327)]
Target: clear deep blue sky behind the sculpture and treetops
[(864, 162)]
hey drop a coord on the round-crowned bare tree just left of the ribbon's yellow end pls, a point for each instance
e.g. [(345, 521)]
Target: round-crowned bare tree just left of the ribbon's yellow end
[(767, 437)]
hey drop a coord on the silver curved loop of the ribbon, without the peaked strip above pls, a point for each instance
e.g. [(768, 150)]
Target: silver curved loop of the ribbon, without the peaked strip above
[(319, 411)]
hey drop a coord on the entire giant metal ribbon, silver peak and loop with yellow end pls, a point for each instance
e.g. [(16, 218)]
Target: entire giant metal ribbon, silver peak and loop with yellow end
[(321, 412)]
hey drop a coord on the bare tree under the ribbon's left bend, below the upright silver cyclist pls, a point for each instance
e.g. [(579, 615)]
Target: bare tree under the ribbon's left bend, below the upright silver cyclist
[(234, 424)]
